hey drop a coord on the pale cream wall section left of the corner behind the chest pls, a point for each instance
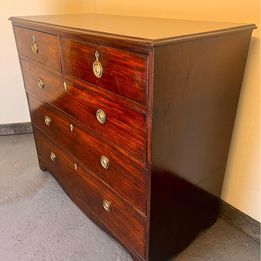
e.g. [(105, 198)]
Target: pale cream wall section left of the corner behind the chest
[(13, 105)]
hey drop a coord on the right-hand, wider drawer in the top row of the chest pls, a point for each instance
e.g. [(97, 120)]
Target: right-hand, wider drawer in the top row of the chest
[(123, 73)]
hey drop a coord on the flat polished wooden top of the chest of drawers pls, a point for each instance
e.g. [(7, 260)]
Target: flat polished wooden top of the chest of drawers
[(151, 30)]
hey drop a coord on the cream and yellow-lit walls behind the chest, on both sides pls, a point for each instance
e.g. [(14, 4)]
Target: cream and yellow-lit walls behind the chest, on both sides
[(242, 179)]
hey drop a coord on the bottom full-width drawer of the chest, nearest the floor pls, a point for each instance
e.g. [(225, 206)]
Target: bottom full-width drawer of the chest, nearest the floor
[(95, 198)]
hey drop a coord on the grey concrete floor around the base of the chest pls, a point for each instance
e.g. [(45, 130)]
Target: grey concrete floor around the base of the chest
[(39, 222)]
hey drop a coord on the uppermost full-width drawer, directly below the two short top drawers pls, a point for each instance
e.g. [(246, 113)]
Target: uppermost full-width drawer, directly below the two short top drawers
[(124, 127)]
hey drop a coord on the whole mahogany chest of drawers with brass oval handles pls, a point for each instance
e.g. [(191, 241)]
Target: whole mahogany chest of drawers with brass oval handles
[(134, 117)]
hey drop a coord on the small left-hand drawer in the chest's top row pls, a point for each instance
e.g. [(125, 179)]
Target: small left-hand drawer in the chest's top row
[(40, 47)]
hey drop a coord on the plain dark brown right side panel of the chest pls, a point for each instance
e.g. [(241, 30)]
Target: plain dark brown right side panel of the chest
[(197, 108)]
